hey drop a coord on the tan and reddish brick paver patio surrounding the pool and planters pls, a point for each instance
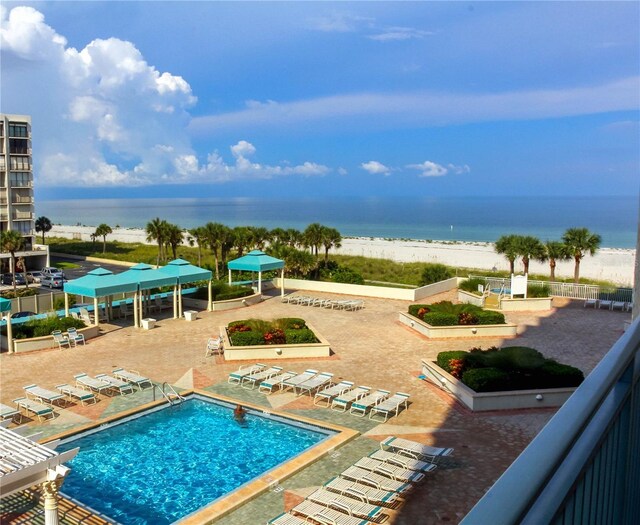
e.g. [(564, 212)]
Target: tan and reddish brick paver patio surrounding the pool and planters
[(371, 348)]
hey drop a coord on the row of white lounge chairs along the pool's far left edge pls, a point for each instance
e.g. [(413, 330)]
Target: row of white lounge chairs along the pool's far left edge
[(40, 402)]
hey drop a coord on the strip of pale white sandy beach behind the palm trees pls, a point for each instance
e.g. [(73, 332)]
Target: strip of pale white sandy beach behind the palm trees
[(610, 264)]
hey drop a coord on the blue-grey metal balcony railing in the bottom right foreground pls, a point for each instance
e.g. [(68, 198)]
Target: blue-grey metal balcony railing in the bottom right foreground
[(584, 466)]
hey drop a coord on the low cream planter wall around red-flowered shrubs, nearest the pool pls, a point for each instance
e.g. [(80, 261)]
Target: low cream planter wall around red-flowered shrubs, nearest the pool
[(245, 353)]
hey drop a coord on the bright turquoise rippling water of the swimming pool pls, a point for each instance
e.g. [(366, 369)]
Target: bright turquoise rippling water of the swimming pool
[(160, 467)]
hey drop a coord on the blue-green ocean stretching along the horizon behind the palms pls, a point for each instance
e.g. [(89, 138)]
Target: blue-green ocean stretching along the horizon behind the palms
[(468, 219)]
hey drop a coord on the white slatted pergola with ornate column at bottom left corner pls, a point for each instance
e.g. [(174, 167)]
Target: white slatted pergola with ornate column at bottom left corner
[(25, 463)]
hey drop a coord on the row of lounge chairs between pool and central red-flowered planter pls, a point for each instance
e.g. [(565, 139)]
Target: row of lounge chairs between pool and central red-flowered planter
[(340, 396)]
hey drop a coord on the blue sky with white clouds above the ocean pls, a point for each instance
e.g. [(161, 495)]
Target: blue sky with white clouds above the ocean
[(287, 99)]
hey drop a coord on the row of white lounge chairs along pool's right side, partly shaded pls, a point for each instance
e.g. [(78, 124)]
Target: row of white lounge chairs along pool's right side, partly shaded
[(363, 492)]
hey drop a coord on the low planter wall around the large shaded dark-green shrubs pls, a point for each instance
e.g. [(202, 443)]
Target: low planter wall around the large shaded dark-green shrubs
[(507, 400)]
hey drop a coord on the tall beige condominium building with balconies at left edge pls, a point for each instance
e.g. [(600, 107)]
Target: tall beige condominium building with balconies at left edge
[(16, 189)]
